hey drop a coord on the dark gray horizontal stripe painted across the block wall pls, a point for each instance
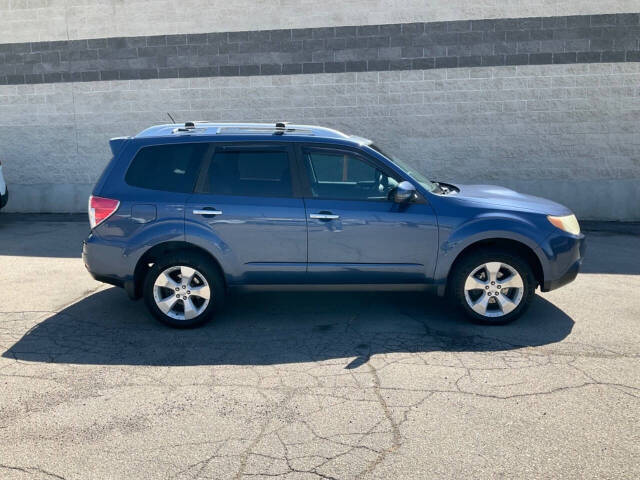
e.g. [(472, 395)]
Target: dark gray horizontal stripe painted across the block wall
[(408, 46)]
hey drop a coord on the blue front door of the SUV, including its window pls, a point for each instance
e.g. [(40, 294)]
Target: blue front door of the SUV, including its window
[(356, 234)]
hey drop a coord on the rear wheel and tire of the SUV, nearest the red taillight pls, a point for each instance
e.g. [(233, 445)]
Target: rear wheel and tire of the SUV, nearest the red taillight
[(189, 305)]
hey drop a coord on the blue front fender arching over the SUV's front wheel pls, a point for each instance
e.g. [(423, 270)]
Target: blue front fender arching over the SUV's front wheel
[(486, 226)]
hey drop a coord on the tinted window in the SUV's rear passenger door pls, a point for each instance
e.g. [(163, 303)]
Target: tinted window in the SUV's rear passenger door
[(251, 173)]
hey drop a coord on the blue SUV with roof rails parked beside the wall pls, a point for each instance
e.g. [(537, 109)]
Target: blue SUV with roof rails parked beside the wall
[(183, 213)]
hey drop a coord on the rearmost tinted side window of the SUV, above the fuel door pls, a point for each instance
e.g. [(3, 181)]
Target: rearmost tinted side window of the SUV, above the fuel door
[(171, 168)]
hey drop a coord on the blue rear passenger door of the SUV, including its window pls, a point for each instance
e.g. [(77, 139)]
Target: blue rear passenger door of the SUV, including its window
[(248, 212)]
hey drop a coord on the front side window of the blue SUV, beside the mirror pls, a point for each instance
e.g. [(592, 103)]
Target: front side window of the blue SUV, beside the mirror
[(342, 175)]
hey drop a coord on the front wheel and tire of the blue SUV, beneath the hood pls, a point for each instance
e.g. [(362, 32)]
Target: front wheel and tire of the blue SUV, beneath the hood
[(472, 290)]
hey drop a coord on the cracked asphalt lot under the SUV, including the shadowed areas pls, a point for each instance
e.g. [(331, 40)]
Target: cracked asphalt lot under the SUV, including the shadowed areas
[(313, 385)]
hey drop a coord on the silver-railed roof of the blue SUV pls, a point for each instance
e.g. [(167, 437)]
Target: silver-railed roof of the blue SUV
[(249, 131)]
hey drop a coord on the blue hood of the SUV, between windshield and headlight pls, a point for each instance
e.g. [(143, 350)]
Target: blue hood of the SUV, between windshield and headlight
[(500, 197)]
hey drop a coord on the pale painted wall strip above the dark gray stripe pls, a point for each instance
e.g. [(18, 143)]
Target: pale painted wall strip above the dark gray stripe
[(42, 20)]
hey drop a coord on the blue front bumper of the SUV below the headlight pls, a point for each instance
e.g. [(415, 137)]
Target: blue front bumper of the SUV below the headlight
[(565, 254)]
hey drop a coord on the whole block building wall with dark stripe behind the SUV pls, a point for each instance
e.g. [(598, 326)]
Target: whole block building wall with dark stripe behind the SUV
[(542, 97)]
